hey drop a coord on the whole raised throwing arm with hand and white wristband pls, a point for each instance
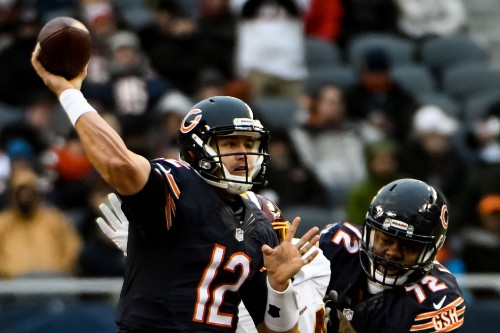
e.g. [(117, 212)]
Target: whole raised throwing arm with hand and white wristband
[(126, 171)]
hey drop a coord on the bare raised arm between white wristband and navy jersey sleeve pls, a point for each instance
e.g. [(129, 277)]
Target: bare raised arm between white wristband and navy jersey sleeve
[(126, 171)]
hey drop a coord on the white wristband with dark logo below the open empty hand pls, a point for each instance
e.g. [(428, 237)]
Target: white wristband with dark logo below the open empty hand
[(282, 311)]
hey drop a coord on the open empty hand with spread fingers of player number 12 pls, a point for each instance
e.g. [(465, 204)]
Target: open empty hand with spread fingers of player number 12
[(285, 260)]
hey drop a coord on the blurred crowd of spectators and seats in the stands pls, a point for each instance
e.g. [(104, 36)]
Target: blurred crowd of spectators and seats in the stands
[(356, 93)]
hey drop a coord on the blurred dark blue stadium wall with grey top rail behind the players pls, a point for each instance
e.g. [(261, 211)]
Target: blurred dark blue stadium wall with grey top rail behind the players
[(48, 305)]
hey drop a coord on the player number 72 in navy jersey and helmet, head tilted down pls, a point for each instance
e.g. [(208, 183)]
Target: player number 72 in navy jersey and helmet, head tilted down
[(386, 277)]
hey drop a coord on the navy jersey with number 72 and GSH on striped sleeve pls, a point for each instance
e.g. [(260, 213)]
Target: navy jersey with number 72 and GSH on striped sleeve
[(434, 304)]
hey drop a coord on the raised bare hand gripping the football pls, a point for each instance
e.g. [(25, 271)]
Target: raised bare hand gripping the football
[(57, 84)]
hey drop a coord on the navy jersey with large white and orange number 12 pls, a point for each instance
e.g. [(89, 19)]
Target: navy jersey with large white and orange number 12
[(190, 259)]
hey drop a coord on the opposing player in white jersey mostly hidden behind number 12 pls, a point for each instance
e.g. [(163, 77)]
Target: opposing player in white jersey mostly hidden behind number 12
[(310, 283)]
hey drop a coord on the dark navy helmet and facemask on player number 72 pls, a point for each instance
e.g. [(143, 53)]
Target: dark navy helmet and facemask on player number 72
[(408, 209)]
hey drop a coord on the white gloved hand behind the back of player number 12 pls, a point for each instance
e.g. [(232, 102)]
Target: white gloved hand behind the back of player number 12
[(116, 224)]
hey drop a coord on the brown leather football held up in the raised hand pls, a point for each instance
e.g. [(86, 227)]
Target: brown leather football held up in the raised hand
[(64, 46)]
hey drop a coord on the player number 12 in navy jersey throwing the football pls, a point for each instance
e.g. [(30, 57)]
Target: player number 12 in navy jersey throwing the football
[(196, 247)]
